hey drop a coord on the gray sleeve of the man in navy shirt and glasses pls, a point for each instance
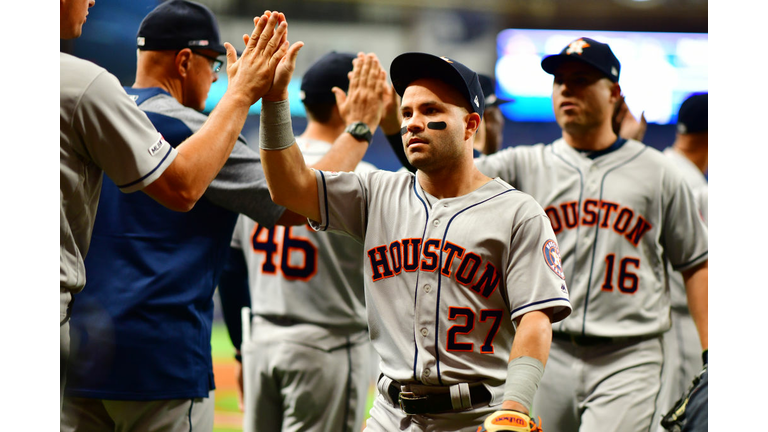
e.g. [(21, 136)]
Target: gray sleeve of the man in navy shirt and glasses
[(241, 187)]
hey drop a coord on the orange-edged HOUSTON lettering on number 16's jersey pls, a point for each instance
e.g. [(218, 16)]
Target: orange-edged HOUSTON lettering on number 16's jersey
[(605, 214)]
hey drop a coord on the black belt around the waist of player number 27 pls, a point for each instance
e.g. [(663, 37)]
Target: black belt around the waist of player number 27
[(434, 403)]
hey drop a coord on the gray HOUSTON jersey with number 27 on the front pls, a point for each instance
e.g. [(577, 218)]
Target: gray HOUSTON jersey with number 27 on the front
[(444, 276)]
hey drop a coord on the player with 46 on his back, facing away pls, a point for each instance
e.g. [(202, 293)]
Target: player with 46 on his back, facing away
[(308, 356)]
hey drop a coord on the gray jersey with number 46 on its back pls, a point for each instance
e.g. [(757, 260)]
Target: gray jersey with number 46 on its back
[(297, 273)]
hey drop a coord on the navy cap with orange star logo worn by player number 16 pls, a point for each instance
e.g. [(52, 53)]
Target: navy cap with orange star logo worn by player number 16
[(589, 51)]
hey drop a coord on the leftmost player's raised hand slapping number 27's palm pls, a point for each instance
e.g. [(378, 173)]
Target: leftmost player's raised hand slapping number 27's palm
[(251, 75)]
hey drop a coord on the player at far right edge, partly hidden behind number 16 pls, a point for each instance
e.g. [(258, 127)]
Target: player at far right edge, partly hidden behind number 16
[(682, 349)]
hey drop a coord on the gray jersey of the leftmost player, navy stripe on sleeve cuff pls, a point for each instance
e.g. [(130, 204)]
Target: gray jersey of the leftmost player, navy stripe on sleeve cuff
[(101, 128)]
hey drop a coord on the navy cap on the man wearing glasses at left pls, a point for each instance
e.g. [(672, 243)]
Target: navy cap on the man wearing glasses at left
[(178, 24)]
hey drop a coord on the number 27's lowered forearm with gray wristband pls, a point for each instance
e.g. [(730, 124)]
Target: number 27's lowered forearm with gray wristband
[(532, 340)]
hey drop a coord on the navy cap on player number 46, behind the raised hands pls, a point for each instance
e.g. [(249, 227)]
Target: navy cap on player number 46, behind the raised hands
[(326, 73)]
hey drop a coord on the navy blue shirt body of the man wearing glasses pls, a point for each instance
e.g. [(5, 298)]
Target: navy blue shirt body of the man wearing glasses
[(141, 327)]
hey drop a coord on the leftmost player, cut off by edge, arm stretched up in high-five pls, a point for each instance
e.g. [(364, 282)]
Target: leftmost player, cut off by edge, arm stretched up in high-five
[(102, 130)]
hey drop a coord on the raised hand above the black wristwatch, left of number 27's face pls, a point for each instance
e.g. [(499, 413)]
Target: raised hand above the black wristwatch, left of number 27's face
[(367, 89)]
